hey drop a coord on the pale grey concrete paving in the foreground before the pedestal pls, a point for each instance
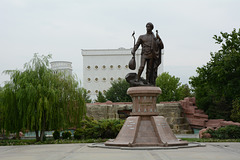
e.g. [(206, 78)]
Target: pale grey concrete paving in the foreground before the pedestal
[(212, 151)]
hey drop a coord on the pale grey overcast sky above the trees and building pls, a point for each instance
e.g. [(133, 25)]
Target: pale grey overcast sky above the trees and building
[(64, 27)]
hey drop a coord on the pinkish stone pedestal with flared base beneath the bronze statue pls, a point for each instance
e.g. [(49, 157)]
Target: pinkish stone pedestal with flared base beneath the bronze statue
[(144, 127)]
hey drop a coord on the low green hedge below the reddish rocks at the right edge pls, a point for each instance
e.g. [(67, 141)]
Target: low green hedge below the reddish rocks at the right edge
[(227, 132)]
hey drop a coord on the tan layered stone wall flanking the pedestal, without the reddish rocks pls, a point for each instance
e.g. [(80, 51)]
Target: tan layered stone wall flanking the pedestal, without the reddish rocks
[(172, 111)]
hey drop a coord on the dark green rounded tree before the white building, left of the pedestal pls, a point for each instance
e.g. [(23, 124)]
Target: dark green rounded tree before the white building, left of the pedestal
[(118, 91)]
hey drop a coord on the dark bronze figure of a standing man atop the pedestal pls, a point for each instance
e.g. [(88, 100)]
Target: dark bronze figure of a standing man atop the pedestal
[(150, 55)]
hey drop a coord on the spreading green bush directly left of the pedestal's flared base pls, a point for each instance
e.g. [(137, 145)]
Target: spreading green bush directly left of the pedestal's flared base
[(92, 129)]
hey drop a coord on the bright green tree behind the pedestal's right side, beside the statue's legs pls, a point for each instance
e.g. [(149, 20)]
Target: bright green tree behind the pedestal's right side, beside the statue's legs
[(172, 89)]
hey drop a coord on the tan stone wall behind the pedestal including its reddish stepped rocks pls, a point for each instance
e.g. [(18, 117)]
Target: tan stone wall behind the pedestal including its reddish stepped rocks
[(181, 116)]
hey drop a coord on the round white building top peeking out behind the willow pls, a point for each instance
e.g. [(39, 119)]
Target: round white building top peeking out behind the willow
[(62, 66)]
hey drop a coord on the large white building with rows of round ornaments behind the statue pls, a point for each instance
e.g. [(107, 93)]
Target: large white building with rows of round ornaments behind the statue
[(101, 66)]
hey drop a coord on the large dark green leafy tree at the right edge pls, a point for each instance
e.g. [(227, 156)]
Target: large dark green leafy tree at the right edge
[(217, 84)]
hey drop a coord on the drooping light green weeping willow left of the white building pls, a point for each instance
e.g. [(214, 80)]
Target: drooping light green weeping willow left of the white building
[(37, 99)]
